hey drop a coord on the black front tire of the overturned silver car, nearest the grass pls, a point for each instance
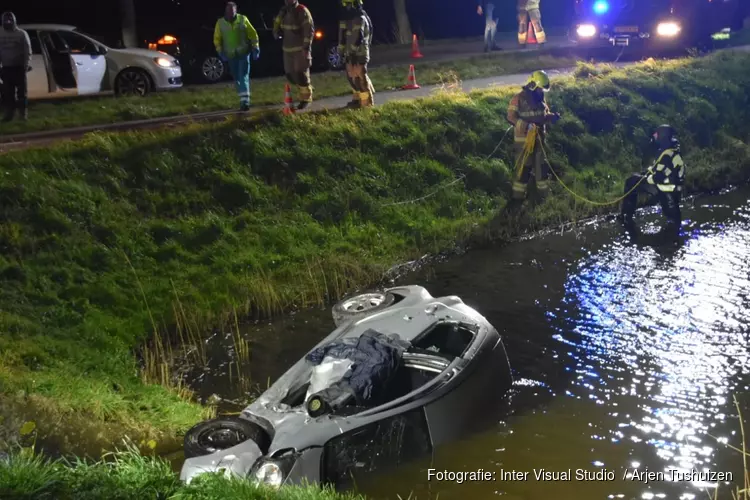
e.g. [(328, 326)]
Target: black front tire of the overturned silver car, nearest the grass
[(223, 433)]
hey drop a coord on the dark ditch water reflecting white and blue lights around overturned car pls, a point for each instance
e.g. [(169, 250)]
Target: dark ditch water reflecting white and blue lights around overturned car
[(627, 354)]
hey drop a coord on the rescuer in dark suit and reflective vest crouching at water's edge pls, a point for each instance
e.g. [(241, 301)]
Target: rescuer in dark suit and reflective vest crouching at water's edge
[(664, 179)]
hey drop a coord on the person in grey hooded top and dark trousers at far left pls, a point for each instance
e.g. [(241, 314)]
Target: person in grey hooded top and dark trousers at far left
[(15, 63)]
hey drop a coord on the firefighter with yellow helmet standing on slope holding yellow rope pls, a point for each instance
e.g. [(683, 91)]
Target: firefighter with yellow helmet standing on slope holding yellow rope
[(529, 109)]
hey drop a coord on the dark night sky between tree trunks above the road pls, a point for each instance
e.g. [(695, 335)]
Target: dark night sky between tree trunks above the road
[(430, 18)]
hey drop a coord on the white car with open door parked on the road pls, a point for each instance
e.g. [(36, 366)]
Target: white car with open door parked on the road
[(65, 62)]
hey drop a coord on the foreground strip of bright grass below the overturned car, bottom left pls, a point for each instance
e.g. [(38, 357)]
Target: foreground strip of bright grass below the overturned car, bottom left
[(128, 475)]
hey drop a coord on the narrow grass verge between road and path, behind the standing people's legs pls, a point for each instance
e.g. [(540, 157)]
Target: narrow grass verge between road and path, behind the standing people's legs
[(54, 115)]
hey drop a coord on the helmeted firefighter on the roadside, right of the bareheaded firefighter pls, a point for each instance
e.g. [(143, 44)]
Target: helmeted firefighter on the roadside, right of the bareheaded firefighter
[(355, 38)]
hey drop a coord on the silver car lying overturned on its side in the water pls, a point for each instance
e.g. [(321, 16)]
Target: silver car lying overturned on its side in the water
[(422, 371)]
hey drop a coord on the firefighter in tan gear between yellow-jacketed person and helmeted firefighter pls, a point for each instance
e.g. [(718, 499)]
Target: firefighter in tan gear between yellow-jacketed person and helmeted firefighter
[(295, 25)]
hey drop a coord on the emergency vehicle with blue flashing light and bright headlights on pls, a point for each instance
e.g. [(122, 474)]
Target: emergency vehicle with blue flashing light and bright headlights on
[(653, 24)]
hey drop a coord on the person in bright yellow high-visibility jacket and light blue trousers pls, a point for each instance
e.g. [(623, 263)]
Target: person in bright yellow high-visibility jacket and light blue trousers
[(235, 39)]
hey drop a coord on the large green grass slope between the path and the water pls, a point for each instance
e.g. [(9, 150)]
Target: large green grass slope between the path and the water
[(105, 241)]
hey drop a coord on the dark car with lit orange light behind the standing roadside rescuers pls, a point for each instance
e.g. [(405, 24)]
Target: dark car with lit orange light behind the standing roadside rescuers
[(193, 46)]
